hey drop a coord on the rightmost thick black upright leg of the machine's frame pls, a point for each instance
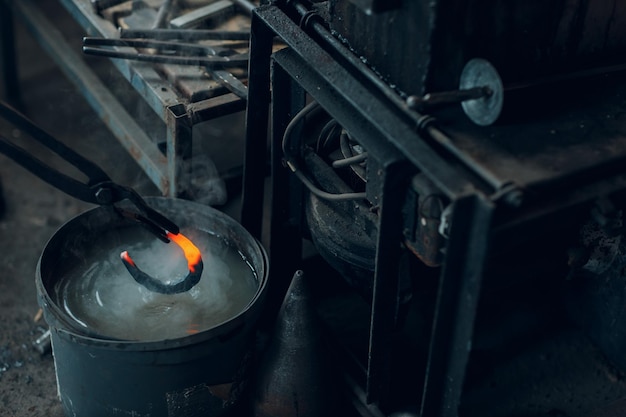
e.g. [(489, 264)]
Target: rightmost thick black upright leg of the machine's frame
[(457, 301)]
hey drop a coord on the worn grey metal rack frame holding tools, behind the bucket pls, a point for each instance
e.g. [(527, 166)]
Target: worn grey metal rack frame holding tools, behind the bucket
[(178, 116)]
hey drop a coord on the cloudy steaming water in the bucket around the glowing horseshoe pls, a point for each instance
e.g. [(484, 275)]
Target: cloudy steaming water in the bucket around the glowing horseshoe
[(101, 296)]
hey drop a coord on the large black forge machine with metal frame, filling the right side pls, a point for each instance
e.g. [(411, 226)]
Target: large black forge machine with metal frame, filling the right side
[(461, 159)]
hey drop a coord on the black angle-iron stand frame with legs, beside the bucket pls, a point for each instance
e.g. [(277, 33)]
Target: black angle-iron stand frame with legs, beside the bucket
[(394, 141)]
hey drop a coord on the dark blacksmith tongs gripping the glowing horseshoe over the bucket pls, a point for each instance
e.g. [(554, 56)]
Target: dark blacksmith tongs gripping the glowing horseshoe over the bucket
[(99, 189)]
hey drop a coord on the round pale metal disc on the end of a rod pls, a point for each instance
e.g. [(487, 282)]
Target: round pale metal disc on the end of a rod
[(483, 111)]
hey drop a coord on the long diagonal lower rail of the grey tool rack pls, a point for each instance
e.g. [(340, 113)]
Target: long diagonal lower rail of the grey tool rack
[(123, 127)]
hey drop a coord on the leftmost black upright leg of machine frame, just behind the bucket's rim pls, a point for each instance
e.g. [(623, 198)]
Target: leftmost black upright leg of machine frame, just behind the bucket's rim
[(261, 38)]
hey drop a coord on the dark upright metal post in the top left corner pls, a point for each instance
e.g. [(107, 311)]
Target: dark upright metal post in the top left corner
[(8, 57)]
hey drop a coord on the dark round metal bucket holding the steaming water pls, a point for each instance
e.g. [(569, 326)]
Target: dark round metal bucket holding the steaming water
[(99, 376)]
